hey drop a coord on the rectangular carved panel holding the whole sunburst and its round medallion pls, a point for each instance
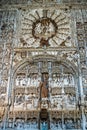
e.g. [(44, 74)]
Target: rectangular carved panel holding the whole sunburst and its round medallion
[(45, 28)]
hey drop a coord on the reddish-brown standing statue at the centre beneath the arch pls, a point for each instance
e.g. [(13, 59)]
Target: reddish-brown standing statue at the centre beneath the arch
[(44, 86)]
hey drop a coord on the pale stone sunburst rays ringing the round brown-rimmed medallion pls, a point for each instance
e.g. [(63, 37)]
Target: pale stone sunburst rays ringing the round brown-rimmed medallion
[(60, 20)]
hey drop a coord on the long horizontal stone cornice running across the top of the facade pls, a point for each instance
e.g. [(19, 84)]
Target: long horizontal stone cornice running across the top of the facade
[(46, 6)]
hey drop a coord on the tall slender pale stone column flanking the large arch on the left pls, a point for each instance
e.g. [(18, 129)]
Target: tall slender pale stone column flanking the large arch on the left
[(9, 87)]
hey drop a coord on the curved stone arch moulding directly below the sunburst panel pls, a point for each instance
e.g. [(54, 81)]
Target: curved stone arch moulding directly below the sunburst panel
[(62, 61)]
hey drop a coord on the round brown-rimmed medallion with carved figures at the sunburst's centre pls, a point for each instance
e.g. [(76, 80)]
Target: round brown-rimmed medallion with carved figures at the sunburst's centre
[(44, 29)]
